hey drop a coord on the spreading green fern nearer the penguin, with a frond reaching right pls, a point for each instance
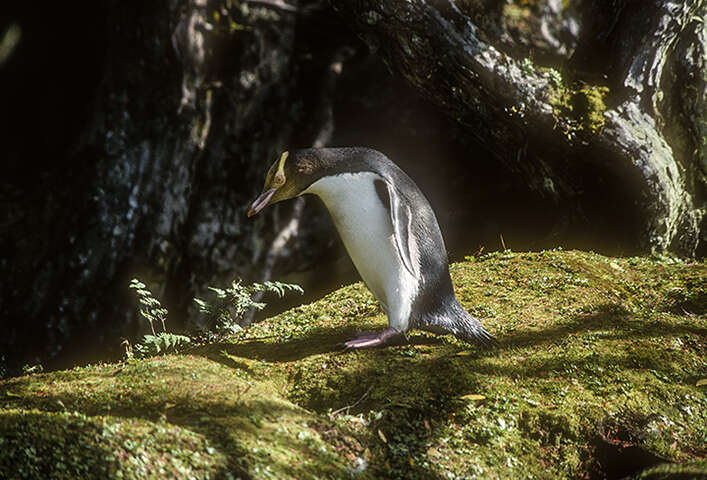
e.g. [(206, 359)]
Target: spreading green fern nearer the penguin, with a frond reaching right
[(232, 303)]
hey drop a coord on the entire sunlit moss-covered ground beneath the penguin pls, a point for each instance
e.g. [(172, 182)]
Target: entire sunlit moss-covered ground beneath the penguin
[(600, 372)]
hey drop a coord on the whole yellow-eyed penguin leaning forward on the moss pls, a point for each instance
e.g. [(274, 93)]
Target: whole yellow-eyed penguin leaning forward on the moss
[(390, 232)]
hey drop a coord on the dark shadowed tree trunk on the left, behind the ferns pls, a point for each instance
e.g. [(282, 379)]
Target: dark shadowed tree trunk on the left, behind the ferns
[(141, 132)]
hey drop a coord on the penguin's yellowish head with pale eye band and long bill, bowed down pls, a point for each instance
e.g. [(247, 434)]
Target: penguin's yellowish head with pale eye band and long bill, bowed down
[(287, 178)]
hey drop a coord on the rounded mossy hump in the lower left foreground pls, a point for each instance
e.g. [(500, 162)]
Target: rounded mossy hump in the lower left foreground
[(165, 409)]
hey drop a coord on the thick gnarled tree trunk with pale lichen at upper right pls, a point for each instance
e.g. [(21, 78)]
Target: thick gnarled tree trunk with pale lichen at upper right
[(598, 105)]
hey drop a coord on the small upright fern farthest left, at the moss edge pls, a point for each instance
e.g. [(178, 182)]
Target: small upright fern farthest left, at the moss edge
[(153, 311)]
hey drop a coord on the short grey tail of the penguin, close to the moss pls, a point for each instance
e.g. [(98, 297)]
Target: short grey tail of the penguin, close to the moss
[(458, 322)]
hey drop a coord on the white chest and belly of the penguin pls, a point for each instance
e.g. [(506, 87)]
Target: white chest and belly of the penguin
[(366, 229)]
